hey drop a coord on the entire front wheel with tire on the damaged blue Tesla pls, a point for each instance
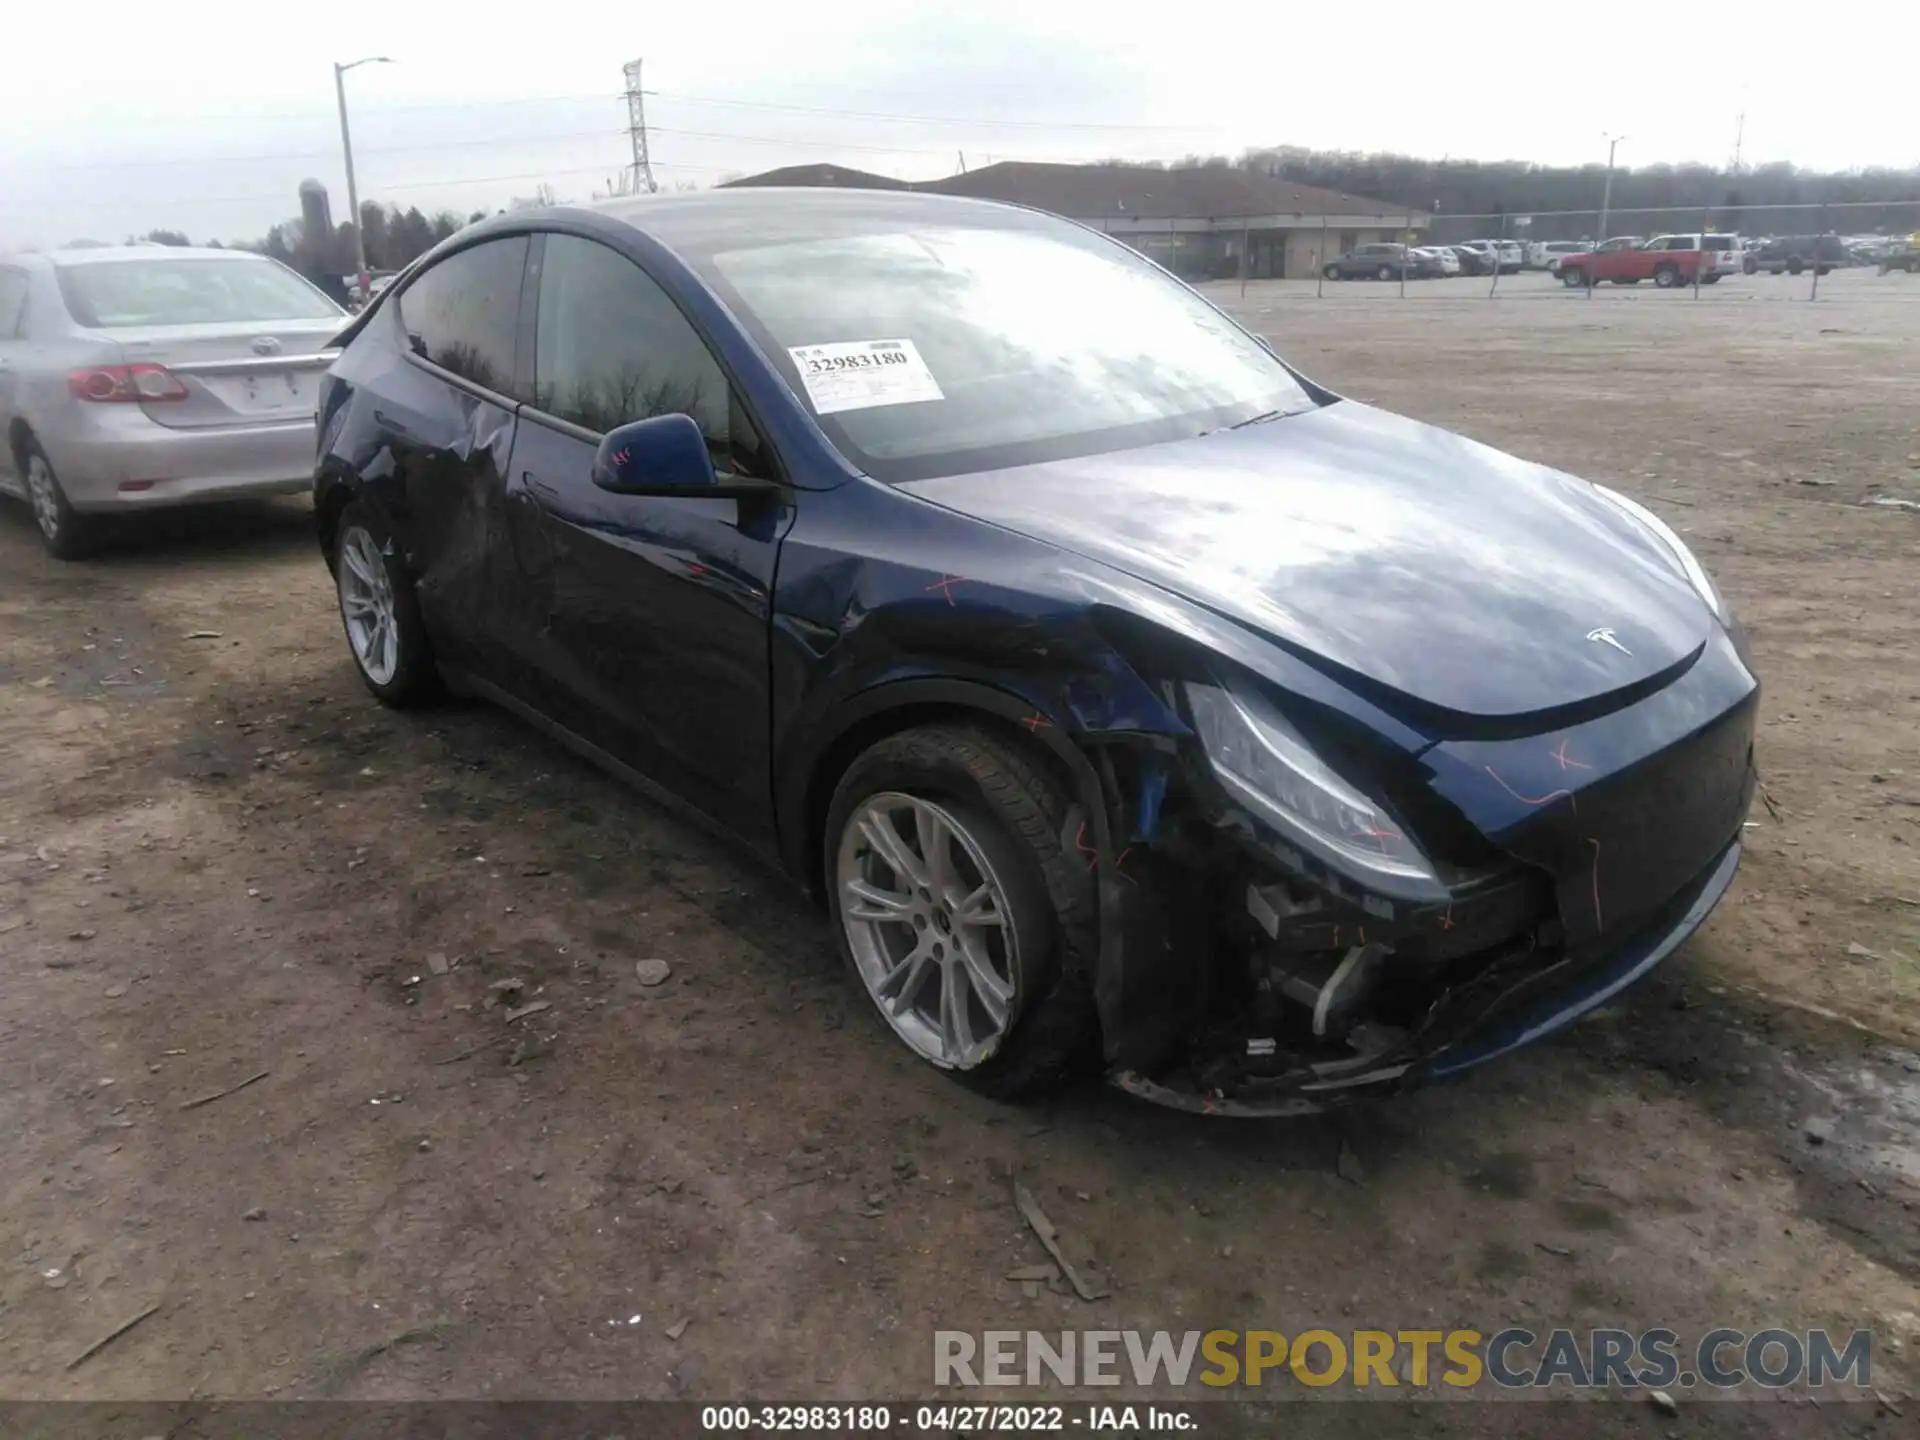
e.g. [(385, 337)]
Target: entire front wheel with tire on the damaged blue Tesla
[(963, 907)]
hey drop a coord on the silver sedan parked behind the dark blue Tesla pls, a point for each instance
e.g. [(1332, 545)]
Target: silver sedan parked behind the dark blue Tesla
[(141, 377)]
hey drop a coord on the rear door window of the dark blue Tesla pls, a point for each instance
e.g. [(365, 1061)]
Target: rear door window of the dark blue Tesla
[(464, 312)]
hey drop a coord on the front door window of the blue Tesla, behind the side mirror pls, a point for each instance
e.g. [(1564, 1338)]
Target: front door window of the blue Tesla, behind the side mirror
[(612, 348)]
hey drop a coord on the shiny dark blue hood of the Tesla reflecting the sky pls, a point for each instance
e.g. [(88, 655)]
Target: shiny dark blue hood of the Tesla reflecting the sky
[(1383, 550)]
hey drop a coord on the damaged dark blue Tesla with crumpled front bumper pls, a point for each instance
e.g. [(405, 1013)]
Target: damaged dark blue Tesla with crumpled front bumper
[(1122, 694)]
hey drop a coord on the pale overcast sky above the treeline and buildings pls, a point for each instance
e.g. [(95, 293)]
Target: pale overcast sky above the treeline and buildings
[(120, 118)]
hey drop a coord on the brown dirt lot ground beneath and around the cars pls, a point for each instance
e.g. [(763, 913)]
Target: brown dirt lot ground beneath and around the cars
[(220, 859)]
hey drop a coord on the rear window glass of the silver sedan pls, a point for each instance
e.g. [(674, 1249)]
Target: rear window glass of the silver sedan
[(135, 293)]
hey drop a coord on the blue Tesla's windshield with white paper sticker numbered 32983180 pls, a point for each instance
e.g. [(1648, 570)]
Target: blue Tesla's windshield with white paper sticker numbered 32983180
[(946, 350)]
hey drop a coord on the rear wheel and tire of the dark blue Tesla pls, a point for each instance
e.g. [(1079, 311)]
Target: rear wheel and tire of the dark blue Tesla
[(381, 613)]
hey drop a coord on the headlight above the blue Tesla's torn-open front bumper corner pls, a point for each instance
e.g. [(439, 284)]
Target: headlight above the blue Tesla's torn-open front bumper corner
[(1270, 769)]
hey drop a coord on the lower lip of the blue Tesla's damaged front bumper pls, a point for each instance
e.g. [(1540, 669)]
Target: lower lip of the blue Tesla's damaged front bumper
[(1512, 1003)]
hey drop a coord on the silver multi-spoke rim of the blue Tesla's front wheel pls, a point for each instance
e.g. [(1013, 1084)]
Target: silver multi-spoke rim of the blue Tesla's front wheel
[(930, 928)]
